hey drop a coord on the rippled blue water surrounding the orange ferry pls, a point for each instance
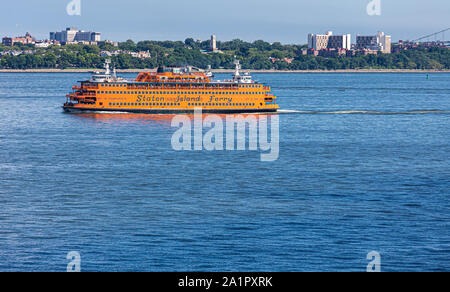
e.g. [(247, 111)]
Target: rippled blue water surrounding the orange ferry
[(364, 166)]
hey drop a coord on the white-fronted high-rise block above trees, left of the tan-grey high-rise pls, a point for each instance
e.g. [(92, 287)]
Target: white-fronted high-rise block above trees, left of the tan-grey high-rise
[(329, 41)]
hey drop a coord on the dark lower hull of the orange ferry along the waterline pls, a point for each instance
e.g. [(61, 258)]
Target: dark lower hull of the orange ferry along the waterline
[(70, 109)]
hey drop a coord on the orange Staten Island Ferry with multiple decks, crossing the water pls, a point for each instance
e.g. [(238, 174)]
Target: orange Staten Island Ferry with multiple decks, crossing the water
[(171, 90)]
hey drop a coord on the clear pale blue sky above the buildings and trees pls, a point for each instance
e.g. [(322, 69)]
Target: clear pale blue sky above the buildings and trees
[(288, 21)]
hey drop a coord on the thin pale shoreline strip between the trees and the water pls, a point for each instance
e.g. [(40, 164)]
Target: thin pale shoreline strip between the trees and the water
[(230, 71)]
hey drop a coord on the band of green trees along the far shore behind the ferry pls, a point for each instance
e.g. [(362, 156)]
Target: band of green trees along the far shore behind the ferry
[(258, 56)]
